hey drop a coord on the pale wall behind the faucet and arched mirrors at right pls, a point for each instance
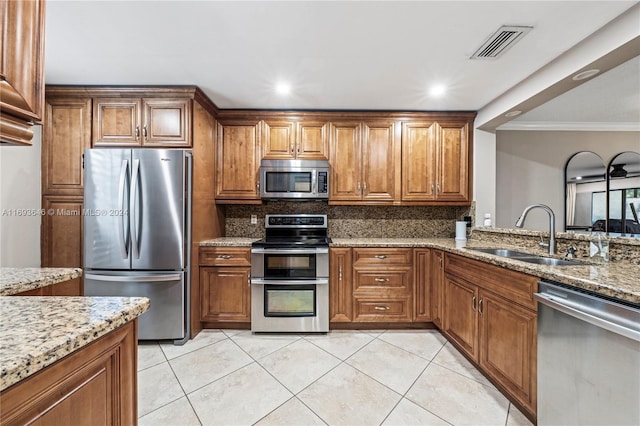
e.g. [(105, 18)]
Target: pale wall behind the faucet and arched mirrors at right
[(530, 169)]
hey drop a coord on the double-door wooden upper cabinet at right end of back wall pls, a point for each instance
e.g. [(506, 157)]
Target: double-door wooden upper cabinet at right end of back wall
[(435, 161)]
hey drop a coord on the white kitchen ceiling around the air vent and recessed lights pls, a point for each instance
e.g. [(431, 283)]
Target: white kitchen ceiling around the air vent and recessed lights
[(335, 54)]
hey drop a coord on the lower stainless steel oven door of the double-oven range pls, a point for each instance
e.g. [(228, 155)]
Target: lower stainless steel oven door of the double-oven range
[(290, 306)]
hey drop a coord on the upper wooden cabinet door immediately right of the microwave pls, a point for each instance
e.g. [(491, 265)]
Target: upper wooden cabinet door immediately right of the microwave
[(345, 153)]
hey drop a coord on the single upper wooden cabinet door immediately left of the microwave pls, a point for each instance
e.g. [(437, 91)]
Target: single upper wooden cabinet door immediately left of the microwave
[(238, 160)]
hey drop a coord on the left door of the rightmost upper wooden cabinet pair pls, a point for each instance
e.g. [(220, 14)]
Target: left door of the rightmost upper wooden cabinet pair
[(418, 161)]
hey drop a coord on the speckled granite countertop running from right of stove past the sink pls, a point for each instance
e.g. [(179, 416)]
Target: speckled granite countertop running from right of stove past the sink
[(616, 279)]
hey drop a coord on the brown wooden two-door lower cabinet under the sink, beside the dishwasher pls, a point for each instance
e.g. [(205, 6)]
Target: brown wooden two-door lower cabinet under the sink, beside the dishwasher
[(496, 333)]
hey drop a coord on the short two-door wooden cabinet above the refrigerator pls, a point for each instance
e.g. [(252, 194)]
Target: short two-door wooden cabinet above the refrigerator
[(162, 122)]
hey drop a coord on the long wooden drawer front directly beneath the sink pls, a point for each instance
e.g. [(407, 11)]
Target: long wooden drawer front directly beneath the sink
[(514, 286)]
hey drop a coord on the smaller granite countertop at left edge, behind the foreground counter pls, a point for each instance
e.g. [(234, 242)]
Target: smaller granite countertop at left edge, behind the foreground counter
[(17, 280)]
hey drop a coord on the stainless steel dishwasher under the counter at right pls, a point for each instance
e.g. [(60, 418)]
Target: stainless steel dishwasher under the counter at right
[(588, 358)]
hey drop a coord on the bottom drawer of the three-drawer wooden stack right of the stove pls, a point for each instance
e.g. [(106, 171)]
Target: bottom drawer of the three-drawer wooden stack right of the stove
[(382, 309)]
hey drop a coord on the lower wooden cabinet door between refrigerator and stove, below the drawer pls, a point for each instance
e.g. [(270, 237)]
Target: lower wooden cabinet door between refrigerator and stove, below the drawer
[(225, 294)]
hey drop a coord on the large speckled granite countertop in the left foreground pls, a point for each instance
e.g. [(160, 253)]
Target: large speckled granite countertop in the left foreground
[(37, 331)]
